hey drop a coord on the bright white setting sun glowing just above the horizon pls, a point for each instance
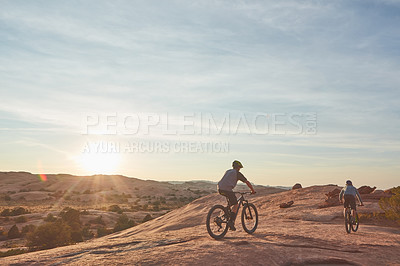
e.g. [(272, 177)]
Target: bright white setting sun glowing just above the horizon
[(99, 163)]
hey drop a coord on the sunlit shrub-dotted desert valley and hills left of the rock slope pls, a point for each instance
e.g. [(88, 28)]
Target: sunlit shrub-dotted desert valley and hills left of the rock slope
[(36, 215)]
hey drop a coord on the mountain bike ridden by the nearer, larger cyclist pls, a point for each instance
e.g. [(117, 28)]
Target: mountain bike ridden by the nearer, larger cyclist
[(218, 217)]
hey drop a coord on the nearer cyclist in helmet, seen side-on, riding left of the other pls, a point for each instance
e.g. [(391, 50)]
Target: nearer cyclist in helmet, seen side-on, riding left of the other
[(225, 188)]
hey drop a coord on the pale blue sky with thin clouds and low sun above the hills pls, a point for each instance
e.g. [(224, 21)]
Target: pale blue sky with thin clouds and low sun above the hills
[(298, 91)]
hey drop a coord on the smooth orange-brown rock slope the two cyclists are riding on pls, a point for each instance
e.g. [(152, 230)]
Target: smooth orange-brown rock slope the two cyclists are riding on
[(300, 235)]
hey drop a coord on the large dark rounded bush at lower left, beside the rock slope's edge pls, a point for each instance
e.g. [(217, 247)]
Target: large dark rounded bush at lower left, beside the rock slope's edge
[(50, 235)]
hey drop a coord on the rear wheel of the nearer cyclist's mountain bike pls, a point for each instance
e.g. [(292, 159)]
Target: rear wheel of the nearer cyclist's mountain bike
[(217, 222)]
